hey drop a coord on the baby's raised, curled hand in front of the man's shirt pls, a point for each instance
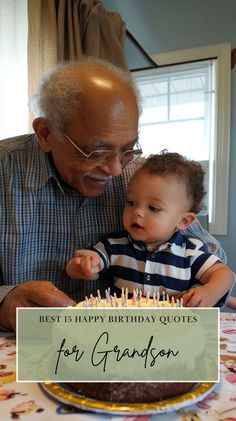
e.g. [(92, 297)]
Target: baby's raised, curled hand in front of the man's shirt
[(86, 264)]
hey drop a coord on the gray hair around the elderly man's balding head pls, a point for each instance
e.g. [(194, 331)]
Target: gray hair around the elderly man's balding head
[(58, 94)]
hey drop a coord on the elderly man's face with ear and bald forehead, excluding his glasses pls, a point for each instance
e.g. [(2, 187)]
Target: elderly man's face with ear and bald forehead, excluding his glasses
[(107, 119)]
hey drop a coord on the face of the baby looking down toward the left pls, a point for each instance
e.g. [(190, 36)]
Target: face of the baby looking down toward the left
[(156, 207)]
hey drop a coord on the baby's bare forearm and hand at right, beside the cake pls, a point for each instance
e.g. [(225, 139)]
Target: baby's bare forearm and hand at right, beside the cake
[(216, 282)]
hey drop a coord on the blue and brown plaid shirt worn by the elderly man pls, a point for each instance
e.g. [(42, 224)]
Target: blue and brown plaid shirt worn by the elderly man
[(43, 220)]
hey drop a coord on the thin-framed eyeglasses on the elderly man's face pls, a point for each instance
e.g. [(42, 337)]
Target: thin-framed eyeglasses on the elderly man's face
[(101, 156)]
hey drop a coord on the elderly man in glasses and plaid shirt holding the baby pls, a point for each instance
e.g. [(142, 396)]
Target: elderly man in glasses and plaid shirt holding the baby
[(63, 187)]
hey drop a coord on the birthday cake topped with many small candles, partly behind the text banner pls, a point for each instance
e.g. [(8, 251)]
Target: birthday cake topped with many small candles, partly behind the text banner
[(128, 392)]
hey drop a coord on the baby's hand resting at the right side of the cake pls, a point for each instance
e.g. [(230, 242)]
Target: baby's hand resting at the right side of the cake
[(198, 297)]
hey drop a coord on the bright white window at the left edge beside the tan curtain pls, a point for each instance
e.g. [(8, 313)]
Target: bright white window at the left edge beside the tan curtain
[(13, 68)]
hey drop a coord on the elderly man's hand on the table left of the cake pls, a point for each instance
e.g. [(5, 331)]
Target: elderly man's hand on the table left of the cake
[(31, 294)]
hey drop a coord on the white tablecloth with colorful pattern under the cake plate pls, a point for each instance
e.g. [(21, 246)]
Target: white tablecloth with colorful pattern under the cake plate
[(26, 401)]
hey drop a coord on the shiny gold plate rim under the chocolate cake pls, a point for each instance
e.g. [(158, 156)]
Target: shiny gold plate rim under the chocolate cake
[(63, 394)]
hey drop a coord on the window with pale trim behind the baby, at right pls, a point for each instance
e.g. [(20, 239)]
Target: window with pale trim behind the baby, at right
[(186, 109)]
